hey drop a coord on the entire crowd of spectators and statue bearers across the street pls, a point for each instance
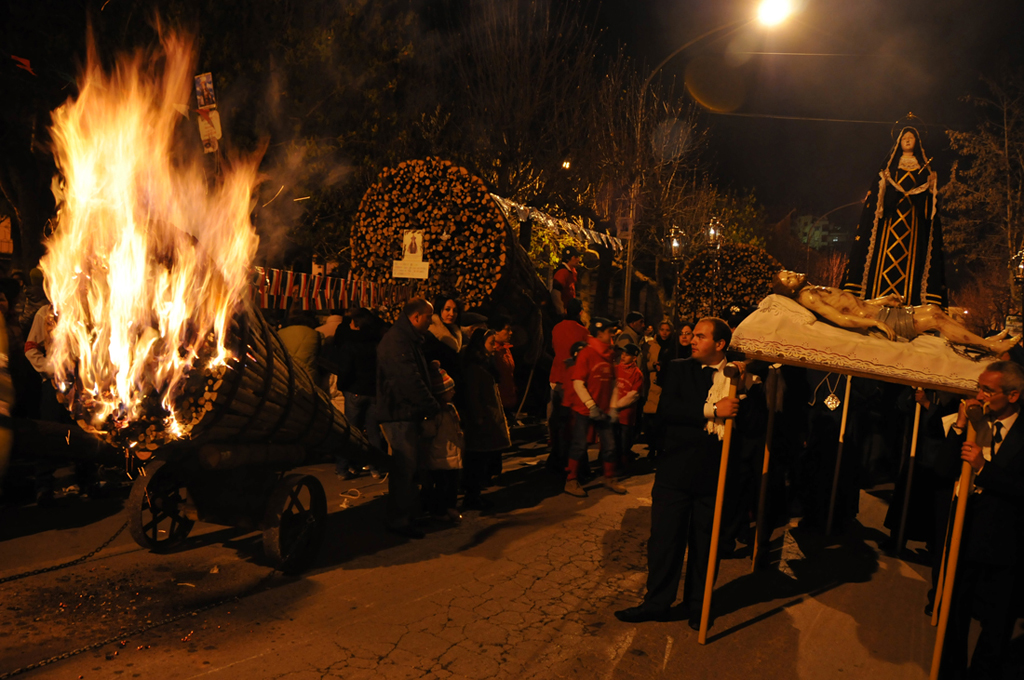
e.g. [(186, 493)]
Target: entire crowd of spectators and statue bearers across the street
[(439, 389)]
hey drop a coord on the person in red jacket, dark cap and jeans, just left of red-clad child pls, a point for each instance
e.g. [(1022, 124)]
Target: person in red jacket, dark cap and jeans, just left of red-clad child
[(593, 384)]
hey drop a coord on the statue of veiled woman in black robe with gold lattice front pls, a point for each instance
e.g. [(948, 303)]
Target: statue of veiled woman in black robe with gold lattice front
[(899, 245)]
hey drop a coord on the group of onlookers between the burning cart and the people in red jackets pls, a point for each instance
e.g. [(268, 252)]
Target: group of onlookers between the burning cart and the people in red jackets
[(436, 389)]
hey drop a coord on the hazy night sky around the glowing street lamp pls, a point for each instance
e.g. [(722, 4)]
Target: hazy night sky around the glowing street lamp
[(908, 56)]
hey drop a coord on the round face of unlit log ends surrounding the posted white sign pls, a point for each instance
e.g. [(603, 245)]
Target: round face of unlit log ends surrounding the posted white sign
[(466, 238)]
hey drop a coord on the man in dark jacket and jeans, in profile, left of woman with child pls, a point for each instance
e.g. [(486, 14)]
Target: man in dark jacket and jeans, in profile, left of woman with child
[(404, 403)]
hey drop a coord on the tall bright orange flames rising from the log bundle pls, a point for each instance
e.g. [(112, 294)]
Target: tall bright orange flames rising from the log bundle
[(148, 263)]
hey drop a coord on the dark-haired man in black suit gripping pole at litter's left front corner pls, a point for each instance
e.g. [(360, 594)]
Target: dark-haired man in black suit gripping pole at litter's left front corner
[(692, 413)]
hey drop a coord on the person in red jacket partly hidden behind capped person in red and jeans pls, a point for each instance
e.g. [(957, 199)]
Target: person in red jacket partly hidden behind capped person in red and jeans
[(566, 334)]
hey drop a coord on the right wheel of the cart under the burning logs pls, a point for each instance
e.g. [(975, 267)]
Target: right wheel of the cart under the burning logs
[(293, 526)]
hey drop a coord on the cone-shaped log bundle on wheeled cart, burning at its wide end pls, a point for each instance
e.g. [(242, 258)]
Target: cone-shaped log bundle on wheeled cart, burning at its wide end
[(259, 397)]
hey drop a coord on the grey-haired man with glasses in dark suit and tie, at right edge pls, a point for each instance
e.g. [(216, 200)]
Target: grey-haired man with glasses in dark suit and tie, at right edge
[(989, 576)]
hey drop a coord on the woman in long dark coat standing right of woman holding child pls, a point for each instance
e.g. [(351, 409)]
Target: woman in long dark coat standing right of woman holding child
[(484, 422)]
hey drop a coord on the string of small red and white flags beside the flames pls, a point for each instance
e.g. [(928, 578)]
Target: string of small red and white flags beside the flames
[(273, 289)]
